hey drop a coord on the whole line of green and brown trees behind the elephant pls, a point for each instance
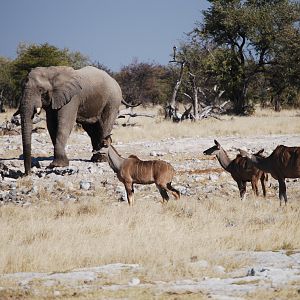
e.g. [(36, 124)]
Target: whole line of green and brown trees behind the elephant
[(249, 50)]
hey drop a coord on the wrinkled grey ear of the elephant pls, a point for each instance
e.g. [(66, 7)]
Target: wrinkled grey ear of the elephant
[(65, 86)]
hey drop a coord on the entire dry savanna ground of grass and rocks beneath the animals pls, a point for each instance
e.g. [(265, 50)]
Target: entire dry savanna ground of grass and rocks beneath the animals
[(201, 246)]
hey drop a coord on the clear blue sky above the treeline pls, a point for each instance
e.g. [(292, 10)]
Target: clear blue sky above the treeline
[(113, 32)]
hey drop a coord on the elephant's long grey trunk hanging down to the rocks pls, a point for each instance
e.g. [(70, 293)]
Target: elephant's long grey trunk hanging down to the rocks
[(26, 123)]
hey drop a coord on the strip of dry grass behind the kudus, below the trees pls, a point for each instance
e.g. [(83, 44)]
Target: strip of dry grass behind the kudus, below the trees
[(262, 123)]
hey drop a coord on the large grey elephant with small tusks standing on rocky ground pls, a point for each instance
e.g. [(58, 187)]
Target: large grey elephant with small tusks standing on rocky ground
[(88, 96)]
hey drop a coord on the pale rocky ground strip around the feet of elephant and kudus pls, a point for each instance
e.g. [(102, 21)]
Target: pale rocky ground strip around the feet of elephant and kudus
[(196, 173)]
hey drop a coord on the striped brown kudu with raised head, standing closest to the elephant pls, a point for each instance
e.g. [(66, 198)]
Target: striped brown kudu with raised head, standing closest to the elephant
[(133, 170)]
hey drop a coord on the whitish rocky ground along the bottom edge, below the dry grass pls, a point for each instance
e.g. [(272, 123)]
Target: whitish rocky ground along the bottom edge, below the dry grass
[(270, 270)]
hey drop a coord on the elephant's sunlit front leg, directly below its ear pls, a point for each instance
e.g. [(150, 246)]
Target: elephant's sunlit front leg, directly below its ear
[(66, 117)]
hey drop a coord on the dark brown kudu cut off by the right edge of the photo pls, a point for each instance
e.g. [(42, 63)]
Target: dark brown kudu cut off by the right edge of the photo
[(284, 162)]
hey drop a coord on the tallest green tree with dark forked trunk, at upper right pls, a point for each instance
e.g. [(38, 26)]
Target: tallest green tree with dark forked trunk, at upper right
[(243, 37)]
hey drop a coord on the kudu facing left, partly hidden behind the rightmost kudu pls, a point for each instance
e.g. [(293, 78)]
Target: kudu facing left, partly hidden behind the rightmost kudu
[(240, 168)]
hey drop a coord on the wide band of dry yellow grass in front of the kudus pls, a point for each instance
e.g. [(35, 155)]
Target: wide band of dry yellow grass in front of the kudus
[(164, 239)]
